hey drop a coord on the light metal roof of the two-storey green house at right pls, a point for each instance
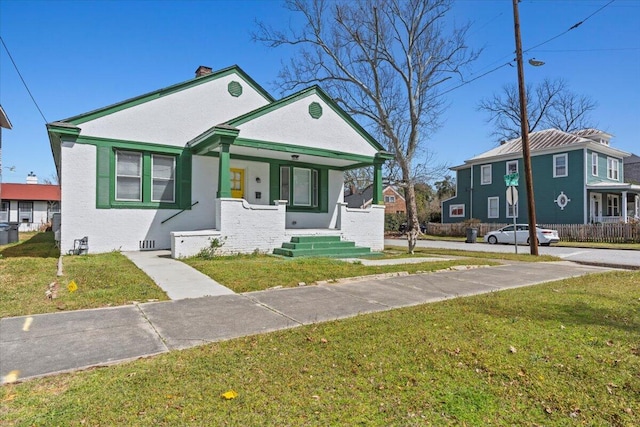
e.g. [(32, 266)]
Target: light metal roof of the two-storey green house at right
[(547, 140)]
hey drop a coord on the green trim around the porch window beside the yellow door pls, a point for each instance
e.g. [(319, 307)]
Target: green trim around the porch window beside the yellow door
[(319, 197)]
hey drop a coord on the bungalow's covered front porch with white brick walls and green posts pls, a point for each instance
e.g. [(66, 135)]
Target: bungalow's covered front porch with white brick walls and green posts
[(267, 193)]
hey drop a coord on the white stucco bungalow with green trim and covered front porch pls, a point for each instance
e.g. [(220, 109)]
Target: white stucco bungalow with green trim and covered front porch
[(214, 157)]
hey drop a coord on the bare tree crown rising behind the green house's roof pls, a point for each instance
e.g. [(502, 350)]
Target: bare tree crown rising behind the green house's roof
[(549, 105)]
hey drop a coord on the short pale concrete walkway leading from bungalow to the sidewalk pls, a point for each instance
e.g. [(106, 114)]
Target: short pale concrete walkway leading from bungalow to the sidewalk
[(176, 278)]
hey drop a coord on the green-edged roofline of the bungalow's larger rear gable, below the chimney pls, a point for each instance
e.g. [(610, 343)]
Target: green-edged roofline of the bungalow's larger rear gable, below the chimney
[(100, 112)]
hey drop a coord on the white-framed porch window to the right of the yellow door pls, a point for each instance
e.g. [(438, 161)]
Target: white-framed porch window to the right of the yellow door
[(300, 186)]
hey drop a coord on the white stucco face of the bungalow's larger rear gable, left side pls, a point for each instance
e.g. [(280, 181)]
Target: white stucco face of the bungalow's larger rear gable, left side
[(177, 118)]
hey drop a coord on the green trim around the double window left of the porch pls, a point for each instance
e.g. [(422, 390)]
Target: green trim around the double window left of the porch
[(106, 178)]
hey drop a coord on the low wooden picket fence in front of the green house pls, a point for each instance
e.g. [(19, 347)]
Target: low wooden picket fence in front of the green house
[(600, 233)]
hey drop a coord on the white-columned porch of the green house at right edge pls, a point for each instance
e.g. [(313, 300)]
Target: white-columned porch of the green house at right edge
[(613, 203)]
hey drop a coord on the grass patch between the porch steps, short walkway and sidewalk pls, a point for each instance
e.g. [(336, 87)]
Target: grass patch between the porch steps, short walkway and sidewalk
[(246, 273)]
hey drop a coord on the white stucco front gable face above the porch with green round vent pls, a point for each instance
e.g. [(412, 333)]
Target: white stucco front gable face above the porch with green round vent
[(292, 124)]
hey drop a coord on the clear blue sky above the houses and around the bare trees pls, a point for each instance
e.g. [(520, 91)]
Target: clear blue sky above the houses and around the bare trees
[(77, 56)]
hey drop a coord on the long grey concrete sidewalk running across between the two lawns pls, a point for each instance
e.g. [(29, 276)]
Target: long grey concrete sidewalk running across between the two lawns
[(45, 344)]
